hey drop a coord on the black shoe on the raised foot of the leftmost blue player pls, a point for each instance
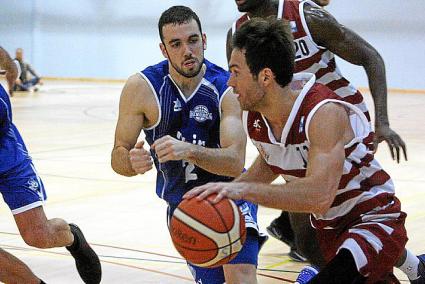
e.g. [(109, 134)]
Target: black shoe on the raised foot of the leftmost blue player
[(86, 260)]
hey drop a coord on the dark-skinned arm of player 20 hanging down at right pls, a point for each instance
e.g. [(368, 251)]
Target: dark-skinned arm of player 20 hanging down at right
[(345, 43)]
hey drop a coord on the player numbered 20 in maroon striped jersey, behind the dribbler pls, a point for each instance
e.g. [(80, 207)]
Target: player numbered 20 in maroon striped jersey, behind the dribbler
[(318, 36)]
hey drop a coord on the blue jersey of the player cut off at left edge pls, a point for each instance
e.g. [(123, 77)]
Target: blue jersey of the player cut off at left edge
[(12, 148)]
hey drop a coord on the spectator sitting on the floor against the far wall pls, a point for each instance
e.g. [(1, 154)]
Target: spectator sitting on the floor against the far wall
[(24, 82)]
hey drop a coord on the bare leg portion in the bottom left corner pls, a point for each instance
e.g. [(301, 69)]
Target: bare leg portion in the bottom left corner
[(13, 270)]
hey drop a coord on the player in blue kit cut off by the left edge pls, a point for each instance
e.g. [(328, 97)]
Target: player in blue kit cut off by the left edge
[(23, 191)]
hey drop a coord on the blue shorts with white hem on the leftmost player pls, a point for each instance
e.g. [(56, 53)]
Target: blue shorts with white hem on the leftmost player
[(22, 188)]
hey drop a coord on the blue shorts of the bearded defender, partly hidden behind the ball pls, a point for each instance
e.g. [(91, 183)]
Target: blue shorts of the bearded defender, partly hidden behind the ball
[(248, 254)]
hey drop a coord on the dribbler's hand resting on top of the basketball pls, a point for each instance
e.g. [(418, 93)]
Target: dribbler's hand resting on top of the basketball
[(232, 190)]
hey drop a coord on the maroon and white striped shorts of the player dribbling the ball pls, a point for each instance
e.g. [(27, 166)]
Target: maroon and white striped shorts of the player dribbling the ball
[(376, 241)]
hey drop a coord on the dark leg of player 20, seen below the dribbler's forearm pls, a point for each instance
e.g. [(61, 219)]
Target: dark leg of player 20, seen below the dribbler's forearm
[(305, 238)]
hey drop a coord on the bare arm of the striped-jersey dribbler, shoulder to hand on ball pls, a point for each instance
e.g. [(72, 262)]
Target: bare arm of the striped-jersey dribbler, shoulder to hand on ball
[(329, 131)]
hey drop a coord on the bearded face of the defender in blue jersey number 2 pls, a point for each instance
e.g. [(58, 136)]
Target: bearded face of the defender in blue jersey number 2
[(184, 47)]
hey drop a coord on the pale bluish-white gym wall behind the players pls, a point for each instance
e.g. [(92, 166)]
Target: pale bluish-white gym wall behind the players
[(113, 39)]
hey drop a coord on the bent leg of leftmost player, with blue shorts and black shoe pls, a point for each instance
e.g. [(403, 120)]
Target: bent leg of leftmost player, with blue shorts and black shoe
[(24, 193)]
